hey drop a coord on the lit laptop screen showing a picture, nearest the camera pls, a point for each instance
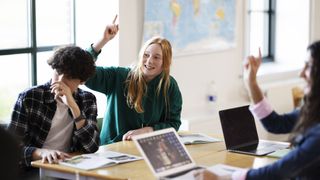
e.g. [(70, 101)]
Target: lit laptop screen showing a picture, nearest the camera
[(164, 151)]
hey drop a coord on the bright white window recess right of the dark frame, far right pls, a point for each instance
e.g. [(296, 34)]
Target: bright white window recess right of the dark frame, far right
[(292, 31)]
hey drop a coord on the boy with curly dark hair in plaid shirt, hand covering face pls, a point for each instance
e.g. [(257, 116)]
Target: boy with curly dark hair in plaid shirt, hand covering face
[(57, 117)]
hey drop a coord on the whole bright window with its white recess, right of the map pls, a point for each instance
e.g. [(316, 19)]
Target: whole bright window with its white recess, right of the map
[(281, 29)]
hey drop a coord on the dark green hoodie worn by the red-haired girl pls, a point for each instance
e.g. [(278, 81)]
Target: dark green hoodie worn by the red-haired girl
[(119, 118)]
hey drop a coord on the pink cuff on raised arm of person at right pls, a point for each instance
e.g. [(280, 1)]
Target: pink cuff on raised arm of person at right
[(262, 109)]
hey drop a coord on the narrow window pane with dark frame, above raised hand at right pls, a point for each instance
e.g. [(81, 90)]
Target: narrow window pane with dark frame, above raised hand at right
[(262, 27)]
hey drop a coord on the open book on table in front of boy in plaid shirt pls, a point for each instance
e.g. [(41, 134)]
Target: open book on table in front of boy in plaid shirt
[(98, 160)]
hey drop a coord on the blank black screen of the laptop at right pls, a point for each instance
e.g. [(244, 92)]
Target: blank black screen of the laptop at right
[(238, 127)]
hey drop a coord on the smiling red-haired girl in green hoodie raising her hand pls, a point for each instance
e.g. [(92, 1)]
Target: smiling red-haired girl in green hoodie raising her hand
[(140, 99)]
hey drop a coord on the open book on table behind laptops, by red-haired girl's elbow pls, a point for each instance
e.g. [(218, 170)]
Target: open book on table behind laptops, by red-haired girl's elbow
[(197, 138)]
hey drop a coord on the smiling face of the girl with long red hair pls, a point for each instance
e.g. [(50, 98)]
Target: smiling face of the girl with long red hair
[(152, 62)]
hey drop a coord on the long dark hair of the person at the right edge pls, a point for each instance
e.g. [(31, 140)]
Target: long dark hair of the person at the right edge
[(310, 111)]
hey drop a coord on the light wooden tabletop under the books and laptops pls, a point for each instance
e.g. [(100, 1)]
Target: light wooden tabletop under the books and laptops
[(203, 154)]
